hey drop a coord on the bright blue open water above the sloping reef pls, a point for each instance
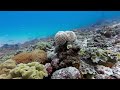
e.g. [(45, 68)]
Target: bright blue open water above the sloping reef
[(20, 26)]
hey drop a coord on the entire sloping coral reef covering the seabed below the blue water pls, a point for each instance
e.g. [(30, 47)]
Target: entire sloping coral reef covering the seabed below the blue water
[(84, 53)]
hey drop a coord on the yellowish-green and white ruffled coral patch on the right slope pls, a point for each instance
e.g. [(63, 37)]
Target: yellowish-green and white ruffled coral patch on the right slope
[(100, 56)]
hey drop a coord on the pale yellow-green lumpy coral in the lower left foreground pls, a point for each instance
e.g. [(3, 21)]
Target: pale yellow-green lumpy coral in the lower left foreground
[(32, 70)]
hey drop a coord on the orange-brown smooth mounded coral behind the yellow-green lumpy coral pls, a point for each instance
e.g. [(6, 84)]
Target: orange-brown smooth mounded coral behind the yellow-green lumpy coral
[(36, 55)]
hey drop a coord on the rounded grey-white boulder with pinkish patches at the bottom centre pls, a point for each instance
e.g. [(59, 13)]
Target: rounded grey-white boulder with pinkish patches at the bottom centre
[(66, 73)]
